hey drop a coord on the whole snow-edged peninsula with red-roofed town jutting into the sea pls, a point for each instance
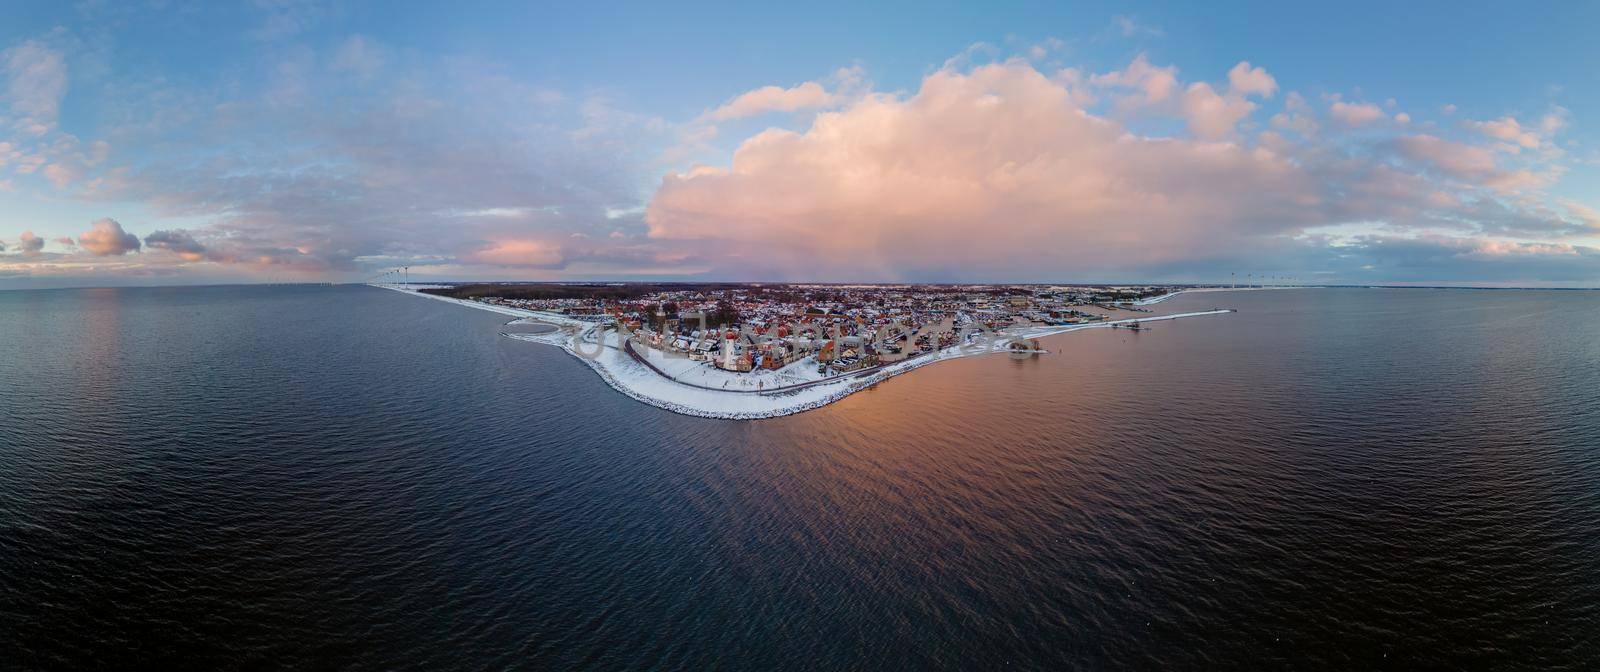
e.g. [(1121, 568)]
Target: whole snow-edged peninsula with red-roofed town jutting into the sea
[(764, 351)]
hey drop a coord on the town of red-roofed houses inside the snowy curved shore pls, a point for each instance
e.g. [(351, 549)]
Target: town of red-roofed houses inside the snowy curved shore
[(806, 334)]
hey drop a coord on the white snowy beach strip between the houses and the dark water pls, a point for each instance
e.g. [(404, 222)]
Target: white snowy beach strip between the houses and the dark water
[(690, 388)]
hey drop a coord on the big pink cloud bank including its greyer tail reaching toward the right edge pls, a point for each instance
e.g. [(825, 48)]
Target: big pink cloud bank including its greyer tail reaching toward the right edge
[(1002, 174)]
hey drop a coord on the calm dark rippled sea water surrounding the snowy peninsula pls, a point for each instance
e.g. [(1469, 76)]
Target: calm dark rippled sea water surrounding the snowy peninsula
[(356, 479)]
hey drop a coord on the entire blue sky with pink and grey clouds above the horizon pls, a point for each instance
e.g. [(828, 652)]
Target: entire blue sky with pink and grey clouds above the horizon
[(177, 143)]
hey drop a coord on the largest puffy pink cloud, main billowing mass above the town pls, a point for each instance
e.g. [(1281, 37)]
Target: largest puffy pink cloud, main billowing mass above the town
[(986, 169)]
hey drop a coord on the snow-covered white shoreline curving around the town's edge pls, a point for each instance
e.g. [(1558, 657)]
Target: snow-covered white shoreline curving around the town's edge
[(647, 385)]
